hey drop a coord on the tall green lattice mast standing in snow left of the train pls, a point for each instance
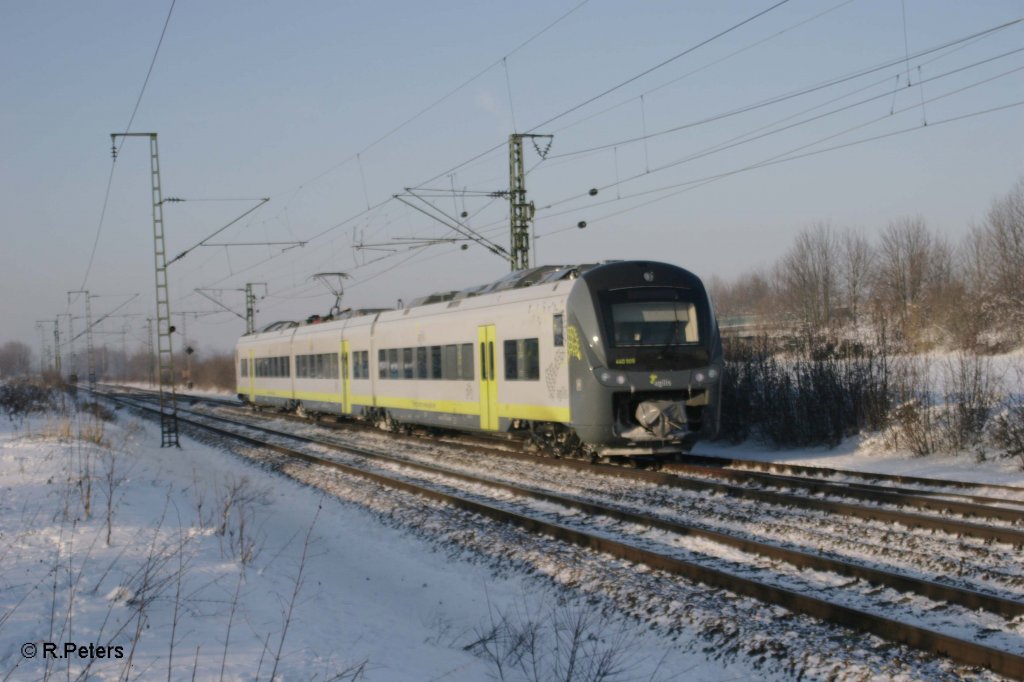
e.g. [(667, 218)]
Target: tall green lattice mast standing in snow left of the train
[(168, 400)]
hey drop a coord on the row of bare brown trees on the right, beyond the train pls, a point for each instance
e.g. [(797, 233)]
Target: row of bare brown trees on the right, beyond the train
[(909, 286)]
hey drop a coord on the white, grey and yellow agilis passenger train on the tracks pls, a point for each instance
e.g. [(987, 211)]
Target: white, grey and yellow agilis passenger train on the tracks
[(603, 361)]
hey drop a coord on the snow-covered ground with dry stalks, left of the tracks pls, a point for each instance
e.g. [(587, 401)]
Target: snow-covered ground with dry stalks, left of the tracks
[(217, 569)]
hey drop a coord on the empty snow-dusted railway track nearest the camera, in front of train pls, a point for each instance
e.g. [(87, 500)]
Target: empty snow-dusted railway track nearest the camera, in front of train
[(599, 527)]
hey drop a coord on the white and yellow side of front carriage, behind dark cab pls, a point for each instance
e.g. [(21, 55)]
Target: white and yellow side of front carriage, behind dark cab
[(431, 362)]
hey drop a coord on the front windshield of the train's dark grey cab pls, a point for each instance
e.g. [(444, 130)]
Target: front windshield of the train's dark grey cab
[(653, 317)]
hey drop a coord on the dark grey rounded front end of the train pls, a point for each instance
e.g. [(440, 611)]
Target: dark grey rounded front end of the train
[(646, 360)]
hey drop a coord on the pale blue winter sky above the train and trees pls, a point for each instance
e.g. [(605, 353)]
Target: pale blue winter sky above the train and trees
[(713, 134)]
